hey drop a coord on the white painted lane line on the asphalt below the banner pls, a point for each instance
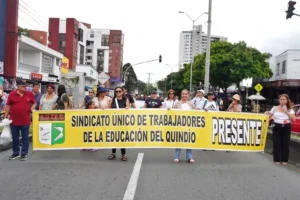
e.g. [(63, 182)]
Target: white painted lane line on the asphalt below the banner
[(132, 184)]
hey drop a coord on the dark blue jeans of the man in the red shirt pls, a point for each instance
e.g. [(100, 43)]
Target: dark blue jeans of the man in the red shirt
[(15, 131)]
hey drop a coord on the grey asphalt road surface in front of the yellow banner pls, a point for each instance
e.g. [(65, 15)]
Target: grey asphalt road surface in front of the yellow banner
[(75, 175)]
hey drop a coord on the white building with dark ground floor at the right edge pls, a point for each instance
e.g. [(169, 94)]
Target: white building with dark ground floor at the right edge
[(286, 76)]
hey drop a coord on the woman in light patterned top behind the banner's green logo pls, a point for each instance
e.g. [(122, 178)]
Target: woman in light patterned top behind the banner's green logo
[(49, 99)]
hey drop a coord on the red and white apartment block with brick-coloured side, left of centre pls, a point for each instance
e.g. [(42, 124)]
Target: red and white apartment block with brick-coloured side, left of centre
[(99, 48)]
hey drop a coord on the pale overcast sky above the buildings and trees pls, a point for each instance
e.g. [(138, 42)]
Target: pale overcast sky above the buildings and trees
[(152, 27)]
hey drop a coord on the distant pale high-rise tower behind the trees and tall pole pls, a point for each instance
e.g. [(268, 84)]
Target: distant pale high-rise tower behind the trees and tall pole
[(193, 43)]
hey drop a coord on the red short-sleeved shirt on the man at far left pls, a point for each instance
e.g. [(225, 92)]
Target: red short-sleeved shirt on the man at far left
[(20, 107)]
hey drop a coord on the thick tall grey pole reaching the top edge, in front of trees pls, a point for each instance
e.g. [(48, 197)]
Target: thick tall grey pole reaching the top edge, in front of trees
[(207, 65)]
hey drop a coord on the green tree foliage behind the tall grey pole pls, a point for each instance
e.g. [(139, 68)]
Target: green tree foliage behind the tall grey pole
[(229, 64)]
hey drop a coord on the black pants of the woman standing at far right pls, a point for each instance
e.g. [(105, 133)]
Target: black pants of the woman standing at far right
[(281, 142)]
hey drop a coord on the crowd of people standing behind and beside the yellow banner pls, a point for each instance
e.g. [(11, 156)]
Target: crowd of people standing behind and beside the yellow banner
[(21, 103)]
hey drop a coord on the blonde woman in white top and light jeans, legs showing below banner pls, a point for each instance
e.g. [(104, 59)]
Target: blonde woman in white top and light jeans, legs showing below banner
[(184, 104)]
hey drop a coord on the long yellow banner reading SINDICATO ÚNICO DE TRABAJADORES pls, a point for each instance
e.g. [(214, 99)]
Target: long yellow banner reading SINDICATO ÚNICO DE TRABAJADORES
[(148, 128)]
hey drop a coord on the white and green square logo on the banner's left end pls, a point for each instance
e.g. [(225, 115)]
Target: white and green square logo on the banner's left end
[(52, 133)]
